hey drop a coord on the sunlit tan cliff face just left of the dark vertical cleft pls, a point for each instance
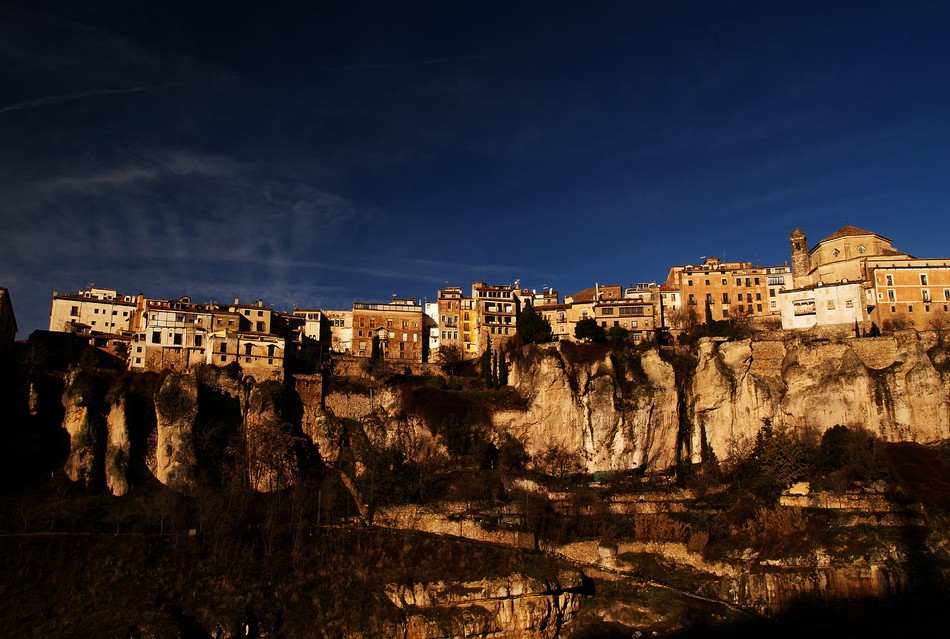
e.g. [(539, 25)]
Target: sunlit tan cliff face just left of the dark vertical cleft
[(613, 416)]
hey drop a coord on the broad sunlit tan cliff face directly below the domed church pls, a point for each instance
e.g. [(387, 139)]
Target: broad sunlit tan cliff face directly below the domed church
[(889, 386)]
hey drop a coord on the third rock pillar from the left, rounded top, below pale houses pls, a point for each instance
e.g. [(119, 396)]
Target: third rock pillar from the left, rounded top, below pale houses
[(176, 407)]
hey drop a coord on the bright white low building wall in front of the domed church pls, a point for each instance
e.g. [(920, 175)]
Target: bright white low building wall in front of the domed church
[(822, 305)]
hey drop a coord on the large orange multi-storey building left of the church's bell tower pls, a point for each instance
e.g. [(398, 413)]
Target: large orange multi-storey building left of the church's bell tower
[(721, 290)]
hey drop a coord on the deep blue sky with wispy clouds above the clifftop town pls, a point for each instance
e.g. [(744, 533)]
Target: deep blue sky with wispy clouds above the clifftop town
[(325, 152)]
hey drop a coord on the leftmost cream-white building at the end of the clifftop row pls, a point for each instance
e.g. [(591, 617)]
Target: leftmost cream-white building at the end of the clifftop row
[(97, 310)]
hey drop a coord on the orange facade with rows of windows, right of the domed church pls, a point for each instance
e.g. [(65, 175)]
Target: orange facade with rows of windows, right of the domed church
[(912, 293)]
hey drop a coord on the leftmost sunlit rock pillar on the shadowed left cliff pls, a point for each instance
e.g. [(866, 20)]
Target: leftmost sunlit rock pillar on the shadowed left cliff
[(84, 423)]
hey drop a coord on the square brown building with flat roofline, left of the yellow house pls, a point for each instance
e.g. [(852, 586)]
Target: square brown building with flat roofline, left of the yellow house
[(398, 325)]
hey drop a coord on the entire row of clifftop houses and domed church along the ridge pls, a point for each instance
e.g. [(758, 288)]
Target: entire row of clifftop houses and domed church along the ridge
[(850, 276)]
